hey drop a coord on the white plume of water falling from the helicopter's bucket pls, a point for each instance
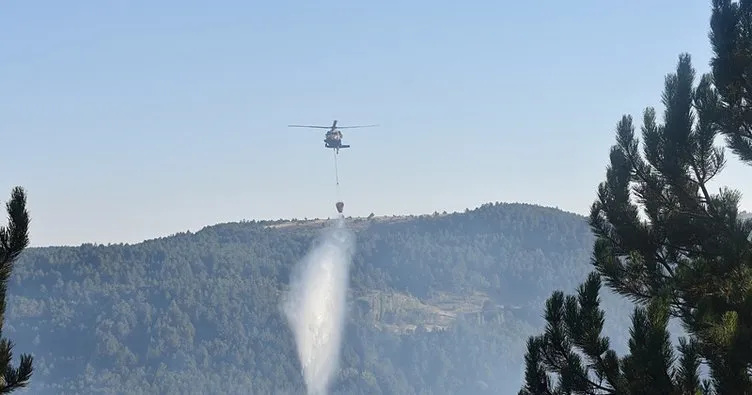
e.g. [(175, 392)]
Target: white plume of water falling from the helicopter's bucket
[(316, 305)]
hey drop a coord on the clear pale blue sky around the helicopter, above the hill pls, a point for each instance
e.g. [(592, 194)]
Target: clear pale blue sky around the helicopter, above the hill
[(129, 120)]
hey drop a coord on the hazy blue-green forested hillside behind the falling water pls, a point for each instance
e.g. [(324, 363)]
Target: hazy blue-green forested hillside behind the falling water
[(440, 304)]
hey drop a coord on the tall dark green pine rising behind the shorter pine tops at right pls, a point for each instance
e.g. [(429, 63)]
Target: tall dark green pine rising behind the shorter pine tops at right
[(690, 249)]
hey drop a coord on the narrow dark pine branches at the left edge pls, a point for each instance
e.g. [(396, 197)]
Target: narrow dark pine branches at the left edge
[(13, 240)]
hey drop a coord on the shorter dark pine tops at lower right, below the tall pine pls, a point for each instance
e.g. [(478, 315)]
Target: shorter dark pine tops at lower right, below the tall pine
[(573, 349)]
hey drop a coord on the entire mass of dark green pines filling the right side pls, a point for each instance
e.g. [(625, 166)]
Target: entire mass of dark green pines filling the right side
[(667, 242)]
